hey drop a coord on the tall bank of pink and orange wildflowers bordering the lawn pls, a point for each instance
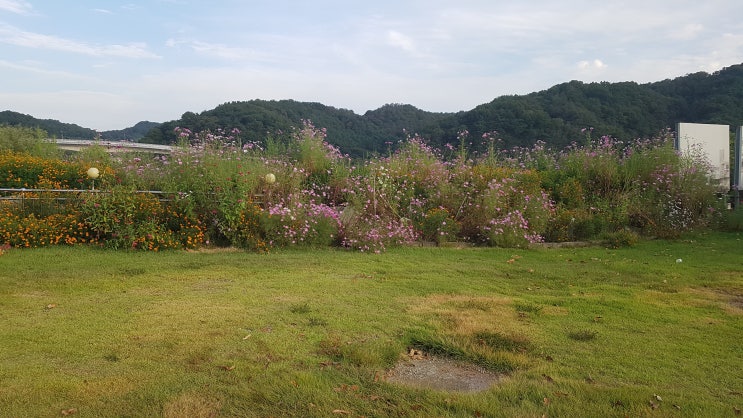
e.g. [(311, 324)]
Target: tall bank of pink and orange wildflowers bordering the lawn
[(294, 189)]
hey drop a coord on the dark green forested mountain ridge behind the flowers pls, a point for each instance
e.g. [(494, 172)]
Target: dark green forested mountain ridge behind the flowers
[(625, 110)]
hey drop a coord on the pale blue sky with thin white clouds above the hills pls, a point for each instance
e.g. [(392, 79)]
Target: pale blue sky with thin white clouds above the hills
[(109, 64)]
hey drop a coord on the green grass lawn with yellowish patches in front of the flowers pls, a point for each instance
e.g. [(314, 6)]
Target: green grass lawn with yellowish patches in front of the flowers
[(579, 331)]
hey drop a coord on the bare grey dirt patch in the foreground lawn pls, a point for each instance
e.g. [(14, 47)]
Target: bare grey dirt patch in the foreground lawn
[(438, 373)]
